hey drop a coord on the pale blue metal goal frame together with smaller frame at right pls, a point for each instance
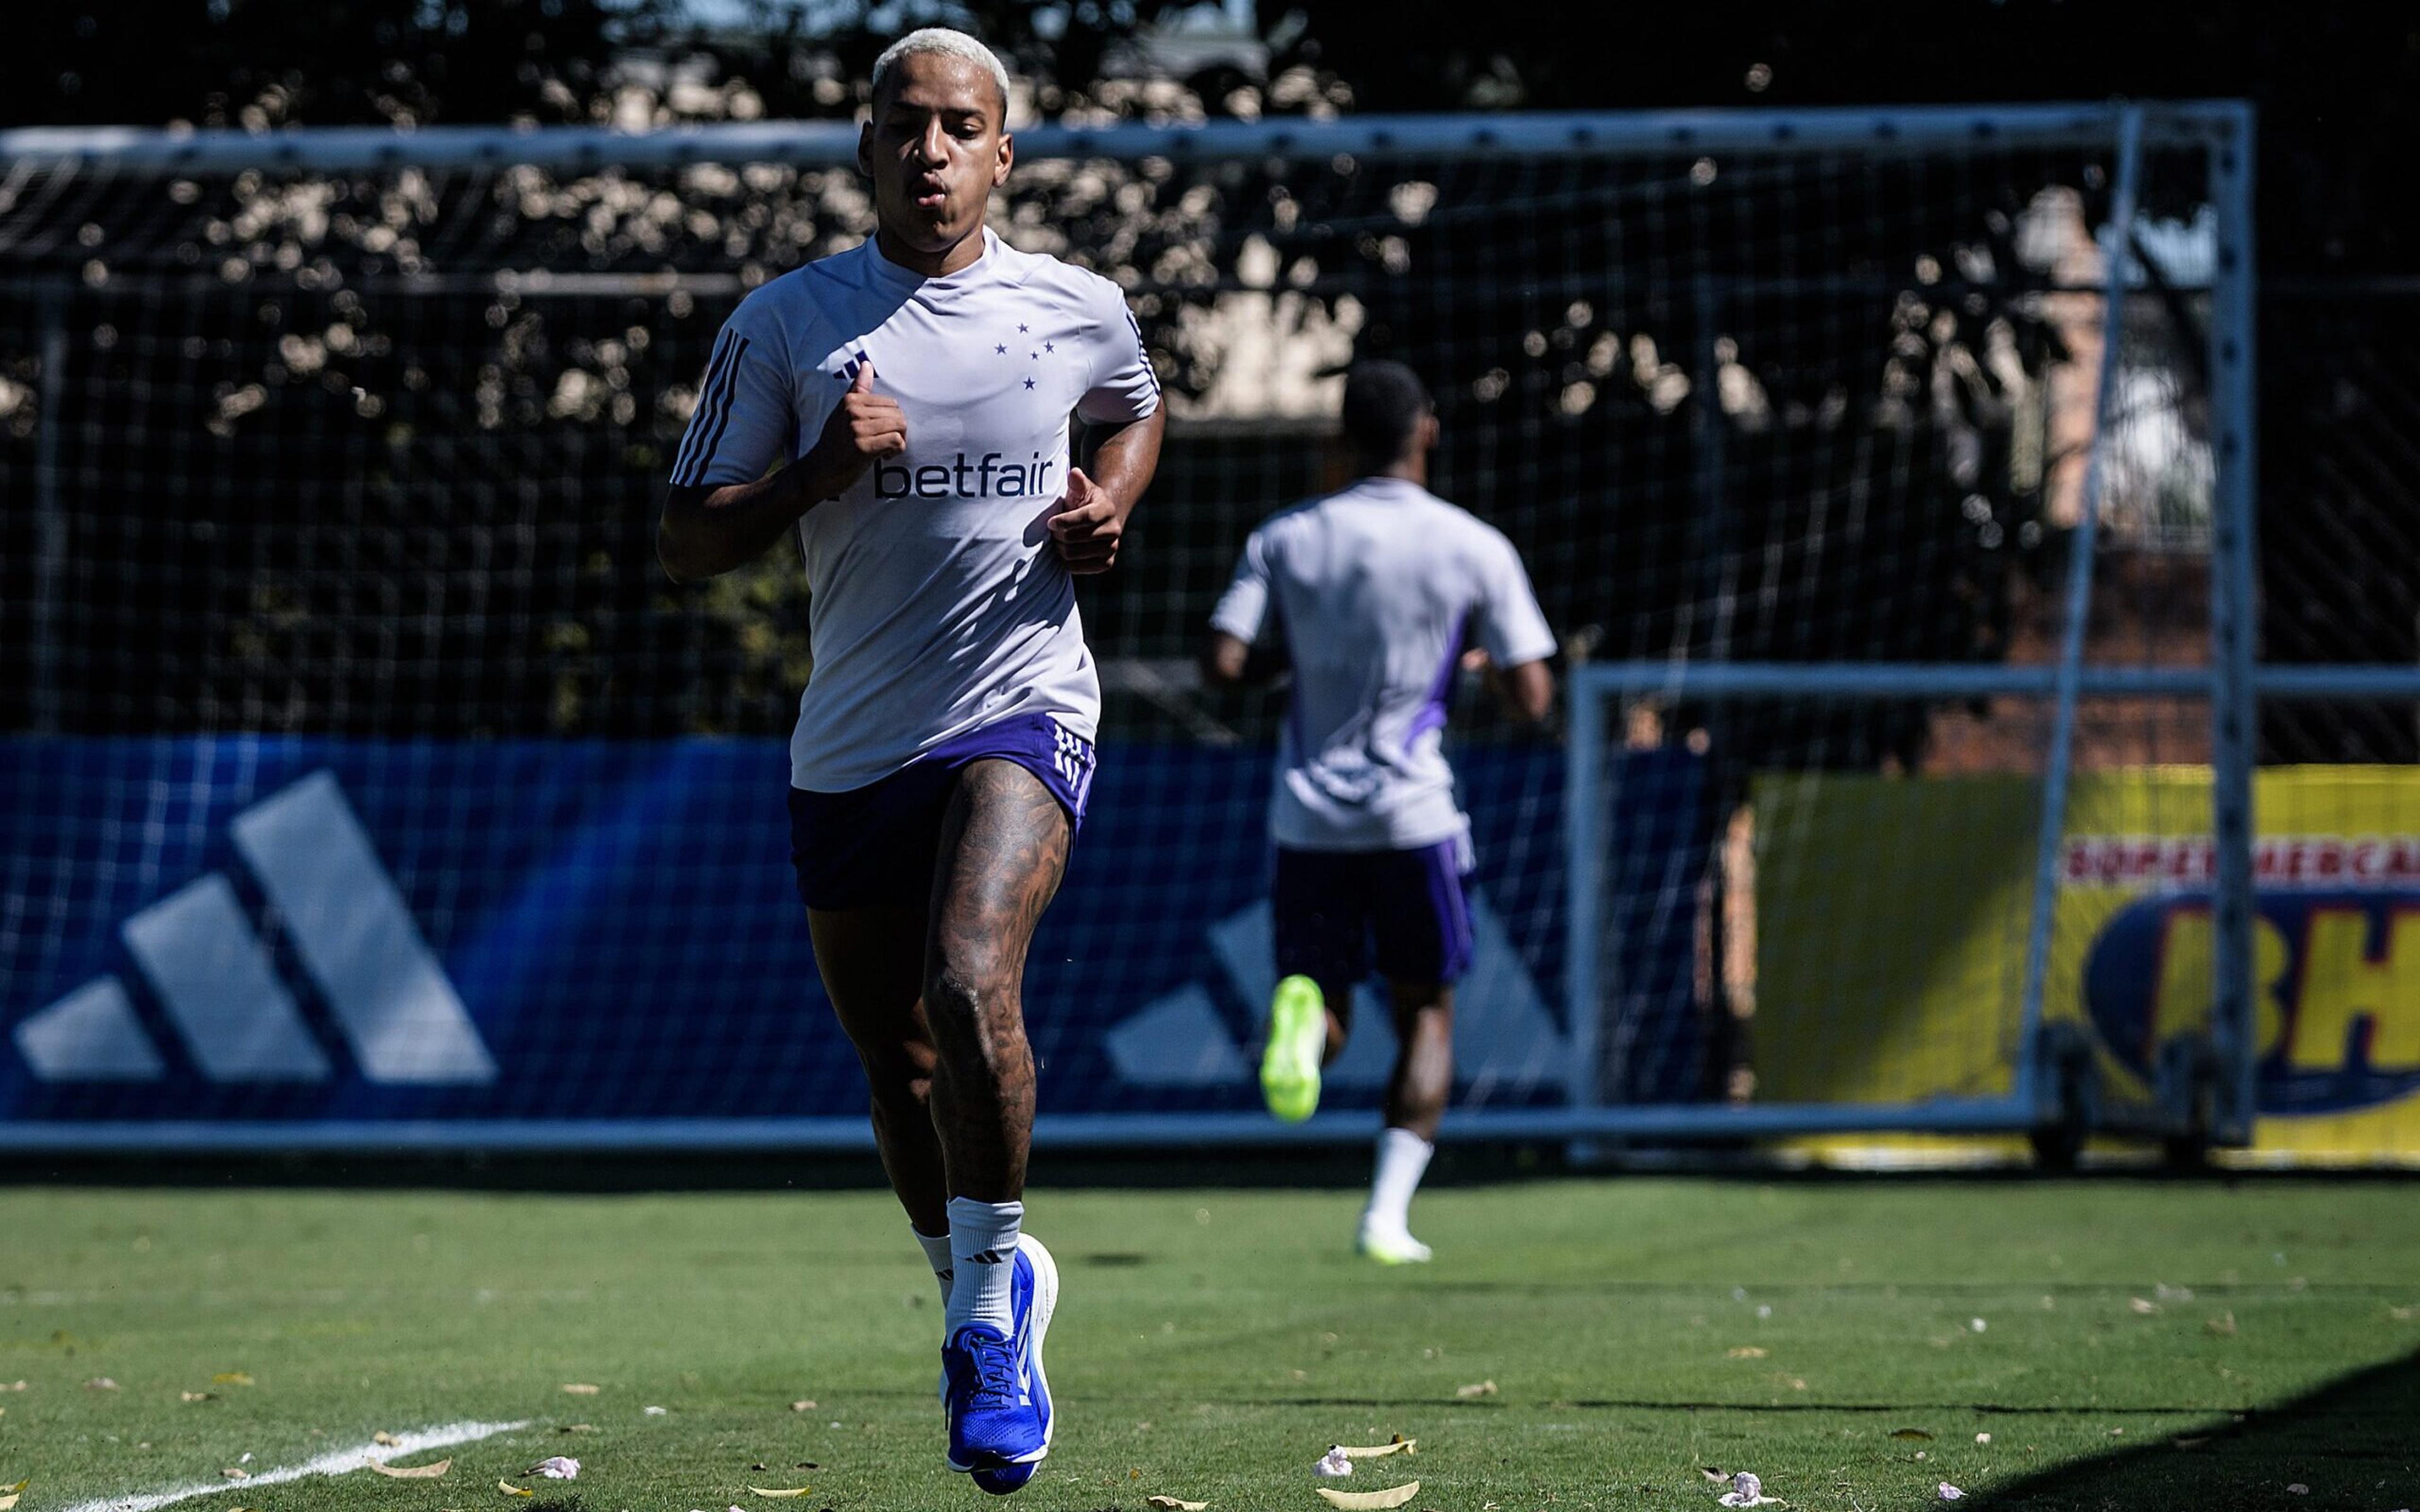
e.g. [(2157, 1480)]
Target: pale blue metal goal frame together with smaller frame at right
[(2218, 1104)]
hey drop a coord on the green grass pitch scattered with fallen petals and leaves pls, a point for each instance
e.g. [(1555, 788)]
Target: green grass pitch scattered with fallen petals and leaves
[(2121, 1344)]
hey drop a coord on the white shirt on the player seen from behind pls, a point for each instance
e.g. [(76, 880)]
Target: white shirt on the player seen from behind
[(1373, 591)]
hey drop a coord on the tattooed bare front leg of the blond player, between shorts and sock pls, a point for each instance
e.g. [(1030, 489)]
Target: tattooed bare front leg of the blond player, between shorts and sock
[(1003, 855)]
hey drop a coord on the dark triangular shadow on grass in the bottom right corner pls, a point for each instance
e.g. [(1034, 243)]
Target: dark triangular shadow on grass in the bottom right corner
[(2346, 1448)]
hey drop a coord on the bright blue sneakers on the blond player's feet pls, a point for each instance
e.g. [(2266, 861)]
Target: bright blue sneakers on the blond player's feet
[(996, 1390)]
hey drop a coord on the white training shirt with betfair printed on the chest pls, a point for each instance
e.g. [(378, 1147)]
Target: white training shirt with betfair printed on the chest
[(938, 599)]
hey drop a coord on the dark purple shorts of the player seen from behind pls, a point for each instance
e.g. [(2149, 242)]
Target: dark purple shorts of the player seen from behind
[(1344, 913)]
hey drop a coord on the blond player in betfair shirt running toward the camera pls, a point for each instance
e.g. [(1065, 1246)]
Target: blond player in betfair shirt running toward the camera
[(916, 396)]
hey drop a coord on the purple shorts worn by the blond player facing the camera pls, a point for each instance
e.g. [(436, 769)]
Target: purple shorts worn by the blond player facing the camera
[(877, 846)]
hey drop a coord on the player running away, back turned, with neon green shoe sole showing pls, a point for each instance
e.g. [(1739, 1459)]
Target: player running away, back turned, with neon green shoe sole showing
[(1373, 591)]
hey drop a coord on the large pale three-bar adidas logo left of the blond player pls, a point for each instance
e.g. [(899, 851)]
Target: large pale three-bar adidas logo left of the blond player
[(221, 988)]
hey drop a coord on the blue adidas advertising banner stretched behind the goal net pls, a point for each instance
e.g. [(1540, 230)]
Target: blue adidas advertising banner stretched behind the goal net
[(296, 933)]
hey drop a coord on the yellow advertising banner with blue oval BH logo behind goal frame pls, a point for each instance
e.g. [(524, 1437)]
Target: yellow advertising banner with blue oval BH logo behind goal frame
[(1891, 940)]
